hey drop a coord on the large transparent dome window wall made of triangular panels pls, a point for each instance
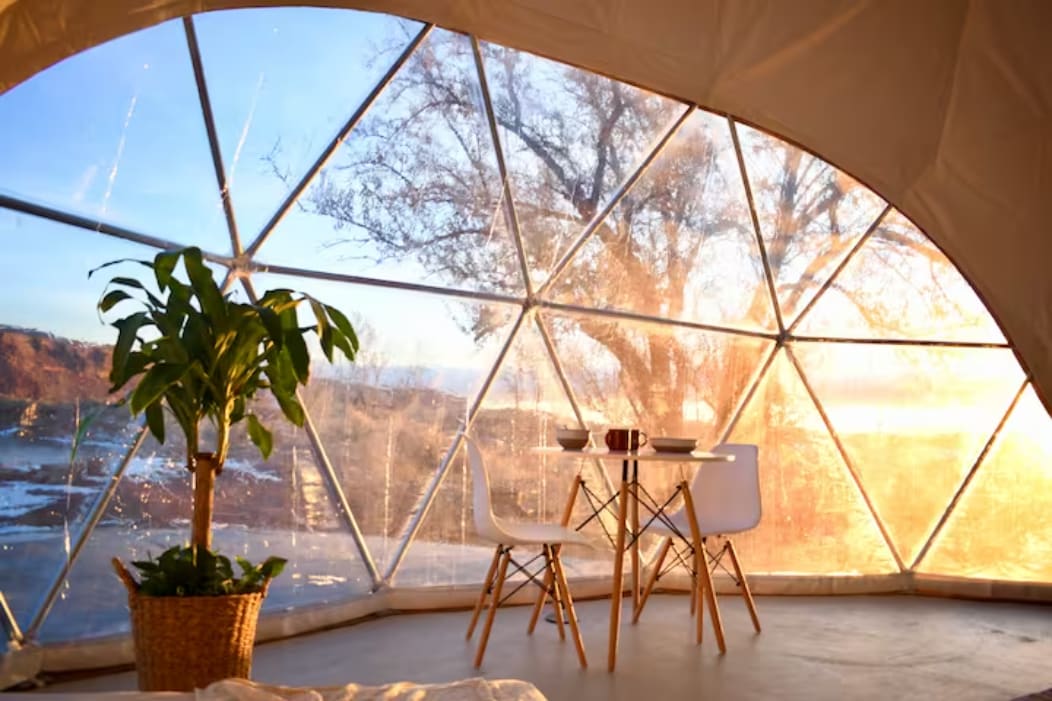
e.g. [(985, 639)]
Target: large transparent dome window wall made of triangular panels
[(521, 245)]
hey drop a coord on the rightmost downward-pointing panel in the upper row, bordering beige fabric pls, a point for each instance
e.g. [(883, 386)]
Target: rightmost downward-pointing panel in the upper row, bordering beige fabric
[(811, 215)]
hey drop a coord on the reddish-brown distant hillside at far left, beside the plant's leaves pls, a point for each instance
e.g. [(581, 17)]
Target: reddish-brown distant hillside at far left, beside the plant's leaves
[(36, 366)]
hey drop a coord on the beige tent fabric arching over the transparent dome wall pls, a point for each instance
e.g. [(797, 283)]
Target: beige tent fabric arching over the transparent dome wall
[(944, 108)]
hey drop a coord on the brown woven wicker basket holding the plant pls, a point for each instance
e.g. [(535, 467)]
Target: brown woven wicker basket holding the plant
[(183, 644)]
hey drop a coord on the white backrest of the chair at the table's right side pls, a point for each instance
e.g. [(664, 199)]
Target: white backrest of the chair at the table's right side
[(727, 494)]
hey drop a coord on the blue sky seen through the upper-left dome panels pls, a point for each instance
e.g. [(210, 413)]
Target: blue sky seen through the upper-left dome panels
[(116, 134)]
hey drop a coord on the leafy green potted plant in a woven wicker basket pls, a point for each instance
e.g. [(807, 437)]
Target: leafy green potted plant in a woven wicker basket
[(203, 357)]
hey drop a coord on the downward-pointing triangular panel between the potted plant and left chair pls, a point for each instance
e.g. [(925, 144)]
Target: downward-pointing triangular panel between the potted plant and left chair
[(388, 419)]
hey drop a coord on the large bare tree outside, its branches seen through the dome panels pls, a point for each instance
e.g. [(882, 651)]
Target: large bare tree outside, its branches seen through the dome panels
[(418, 181)]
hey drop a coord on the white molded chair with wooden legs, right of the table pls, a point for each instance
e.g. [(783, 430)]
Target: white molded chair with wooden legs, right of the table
[(726, 500)]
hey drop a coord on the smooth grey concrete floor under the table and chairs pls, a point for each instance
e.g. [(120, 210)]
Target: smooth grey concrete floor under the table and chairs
[(814, 648)]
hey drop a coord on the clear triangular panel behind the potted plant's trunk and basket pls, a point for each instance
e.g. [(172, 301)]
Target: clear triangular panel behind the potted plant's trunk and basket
[(279, 507)]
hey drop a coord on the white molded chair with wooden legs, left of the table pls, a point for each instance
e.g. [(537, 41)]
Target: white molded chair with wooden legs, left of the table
[(508, 536)]
